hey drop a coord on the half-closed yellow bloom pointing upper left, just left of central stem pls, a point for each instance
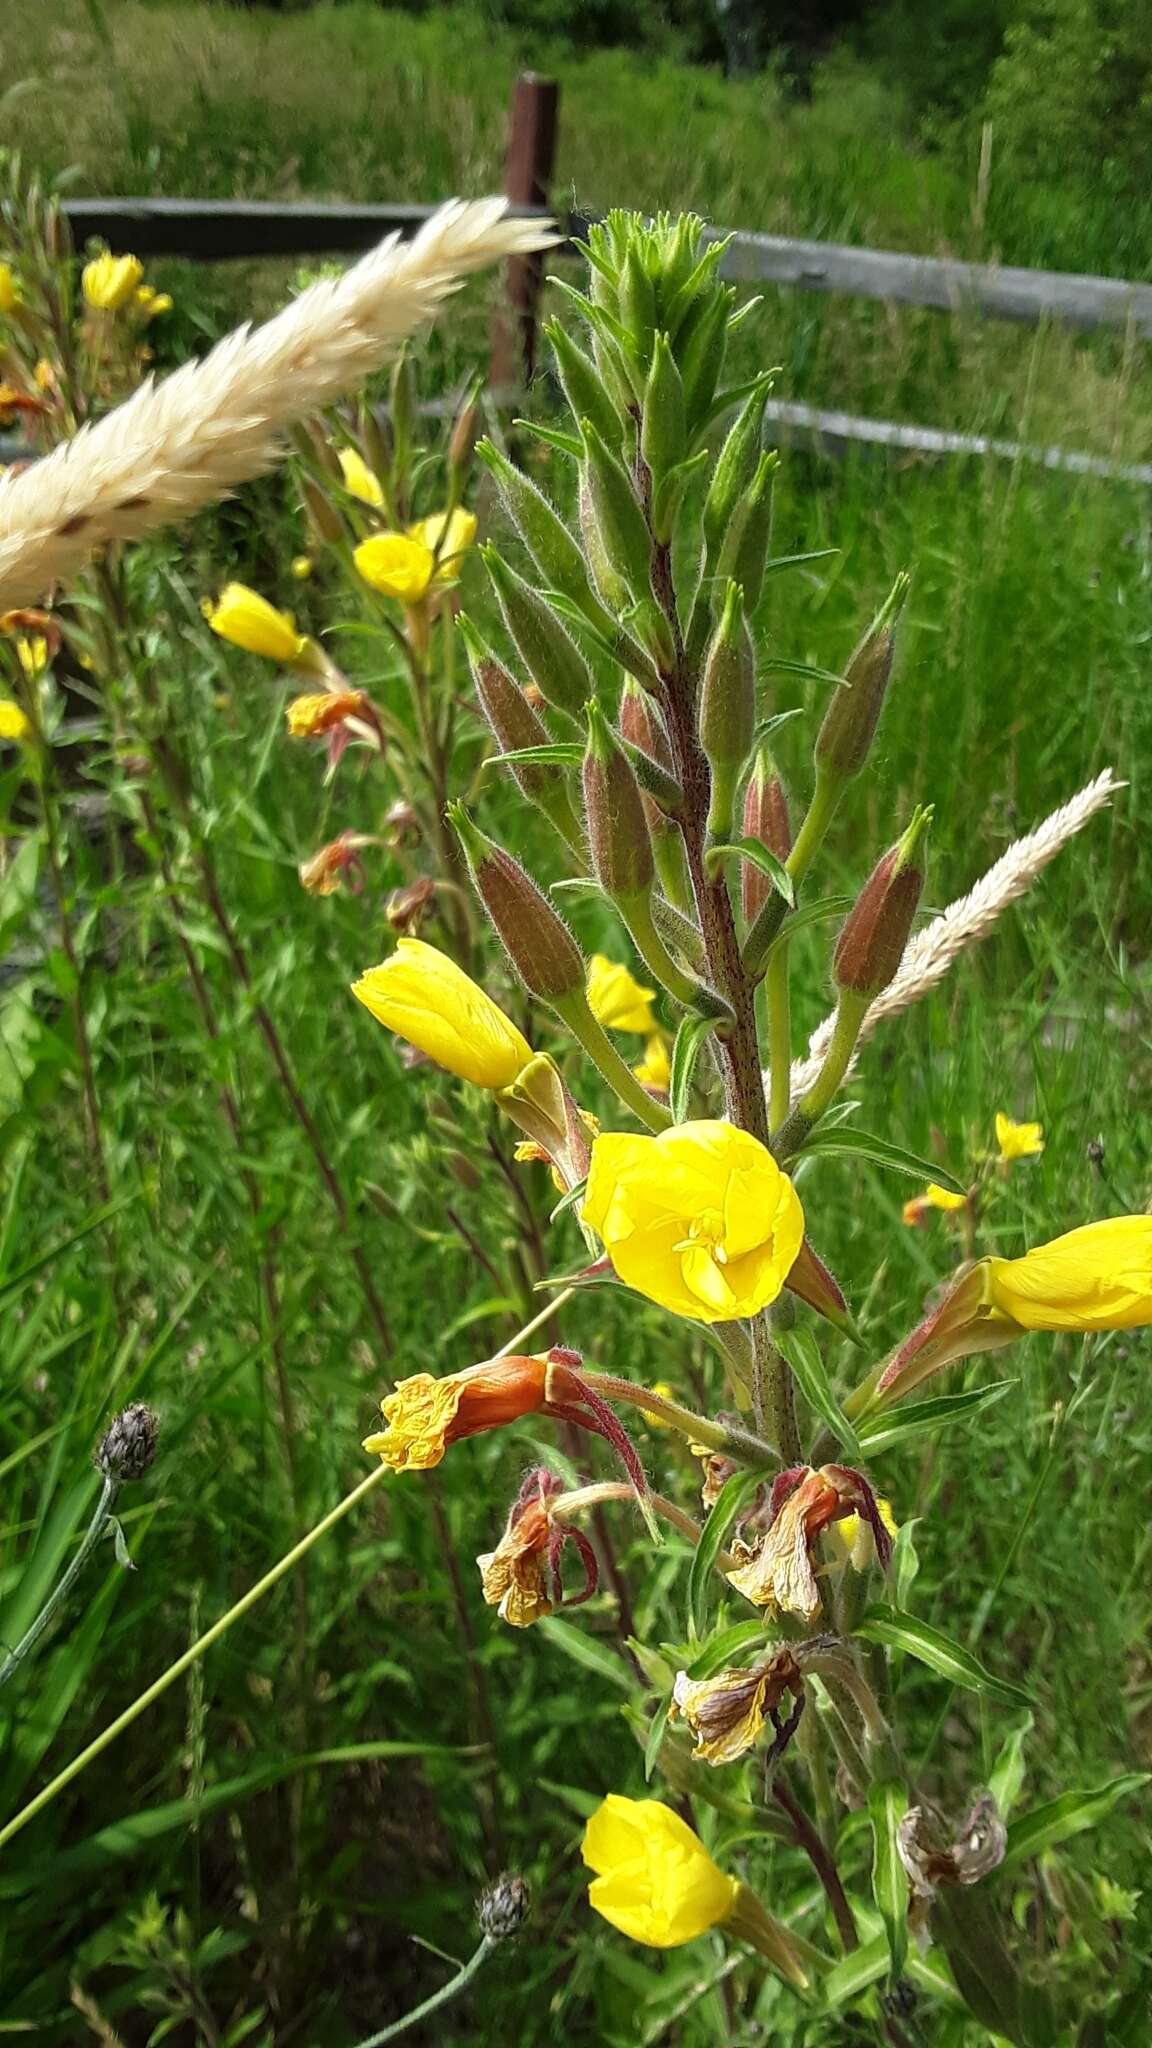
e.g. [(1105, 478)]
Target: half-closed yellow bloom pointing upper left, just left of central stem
[(429, 1000)]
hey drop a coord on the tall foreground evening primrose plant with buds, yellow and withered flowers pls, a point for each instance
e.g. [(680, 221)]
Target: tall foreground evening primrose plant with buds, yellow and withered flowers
[(630, 697)]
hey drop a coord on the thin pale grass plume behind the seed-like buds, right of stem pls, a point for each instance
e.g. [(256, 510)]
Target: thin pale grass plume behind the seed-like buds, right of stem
[(964, 923)]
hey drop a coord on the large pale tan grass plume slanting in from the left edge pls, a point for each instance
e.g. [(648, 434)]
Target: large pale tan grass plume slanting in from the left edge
[(179, 445)]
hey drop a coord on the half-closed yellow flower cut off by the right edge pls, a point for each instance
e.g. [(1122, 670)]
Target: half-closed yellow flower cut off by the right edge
[(1094, 1279)]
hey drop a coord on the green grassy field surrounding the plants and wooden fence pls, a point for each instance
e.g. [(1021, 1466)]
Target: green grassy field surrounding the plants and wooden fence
[(257, 1859)]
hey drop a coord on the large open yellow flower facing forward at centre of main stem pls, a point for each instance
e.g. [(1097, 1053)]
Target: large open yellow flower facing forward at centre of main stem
[(698, 1220)]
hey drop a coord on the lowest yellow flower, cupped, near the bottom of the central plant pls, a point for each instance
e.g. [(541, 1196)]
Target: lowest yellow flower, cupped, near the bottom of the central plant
[(655, 1879)]
